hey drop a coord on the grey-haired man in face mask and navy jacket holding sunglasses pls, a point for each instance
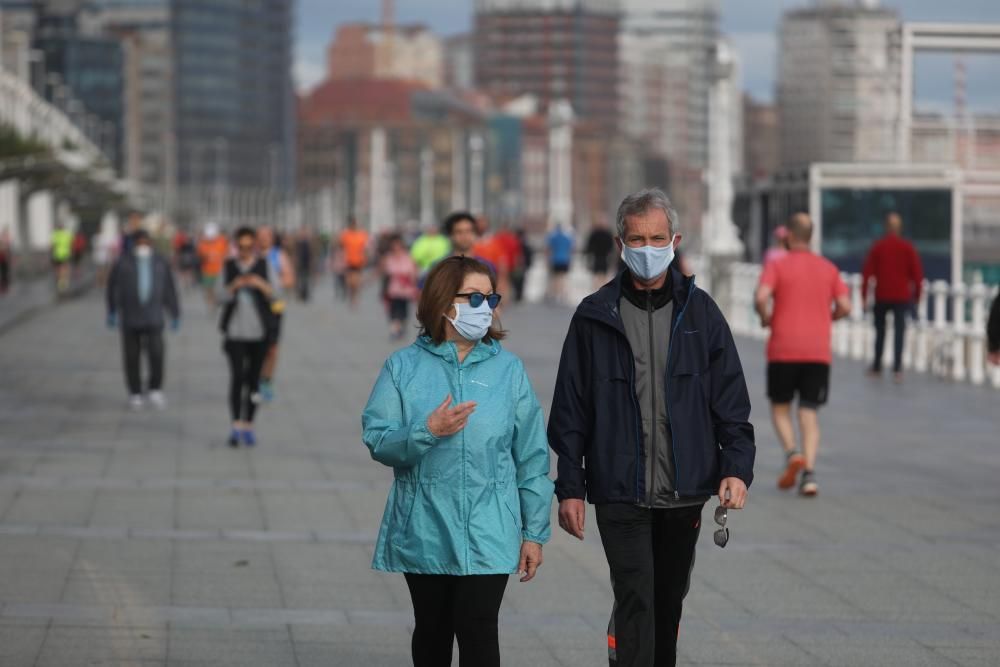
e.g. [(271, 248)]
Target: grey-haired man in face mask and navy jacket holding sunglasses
[(649, 419)]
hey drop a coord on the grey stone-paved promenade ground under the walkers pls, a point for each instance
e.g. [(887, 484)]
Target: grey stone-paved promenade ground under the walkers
[(142, 539)]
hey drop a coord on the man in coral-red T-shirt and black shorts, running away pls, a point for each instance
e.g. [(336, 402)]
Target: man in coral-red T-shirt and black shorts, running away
[(794, 299)]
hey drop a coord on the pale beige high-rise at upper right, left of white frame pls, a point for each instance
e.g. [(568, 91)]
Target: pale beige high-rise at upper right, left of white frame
[(838, 73)]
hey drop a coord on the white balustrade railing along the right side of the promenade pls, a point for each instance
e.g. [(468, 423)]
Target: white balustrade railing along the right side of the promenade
[(952, 348)]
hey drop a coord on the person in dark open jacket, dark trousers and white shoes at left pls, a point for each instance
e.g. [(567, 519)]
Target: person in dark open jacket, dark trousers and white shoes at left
[(140, 289)]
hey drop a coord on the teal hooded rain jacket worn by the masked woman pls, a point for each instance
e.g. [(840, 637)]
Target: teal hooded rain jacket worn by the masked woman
[(460, 504)]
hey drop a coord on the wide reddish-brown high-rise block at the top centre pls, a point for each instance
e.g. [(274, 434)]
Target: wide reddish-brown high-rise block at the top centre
[(552, 49)]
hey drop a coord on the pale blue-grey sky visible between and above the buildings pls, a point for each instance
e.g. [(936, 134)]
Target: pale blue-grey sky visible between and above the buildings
[(750, 24)]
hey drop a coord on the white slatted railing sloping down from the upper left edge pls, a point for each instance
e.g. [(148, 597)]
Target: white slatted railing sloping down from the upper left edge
[(31, 116)]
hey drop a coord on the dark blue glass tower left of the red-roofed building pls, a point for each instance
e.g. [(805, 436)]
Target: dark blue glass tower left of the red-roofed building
[(233, 92)]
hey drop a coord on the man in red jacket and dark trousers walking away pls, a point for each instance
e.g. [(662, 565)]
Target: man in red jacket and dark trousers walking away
[(895, 265)]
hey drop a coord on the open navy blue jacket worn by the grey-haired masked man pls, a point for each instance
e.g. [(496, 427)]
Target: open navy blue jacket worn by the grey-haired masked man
[(595, 428)]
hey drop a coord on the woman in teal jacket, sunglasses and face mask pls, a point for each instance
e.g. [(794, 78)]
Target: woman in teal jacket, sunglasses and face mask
[(455, 416)]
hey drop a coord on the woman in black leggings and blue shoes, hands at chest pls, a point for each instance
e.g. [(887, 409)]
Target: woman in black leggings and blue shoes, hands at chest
[(245, 323)]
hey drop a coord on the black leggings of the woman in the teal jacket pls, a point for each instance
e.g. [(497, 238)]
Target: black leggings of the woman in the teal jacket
[(446, 607)]
